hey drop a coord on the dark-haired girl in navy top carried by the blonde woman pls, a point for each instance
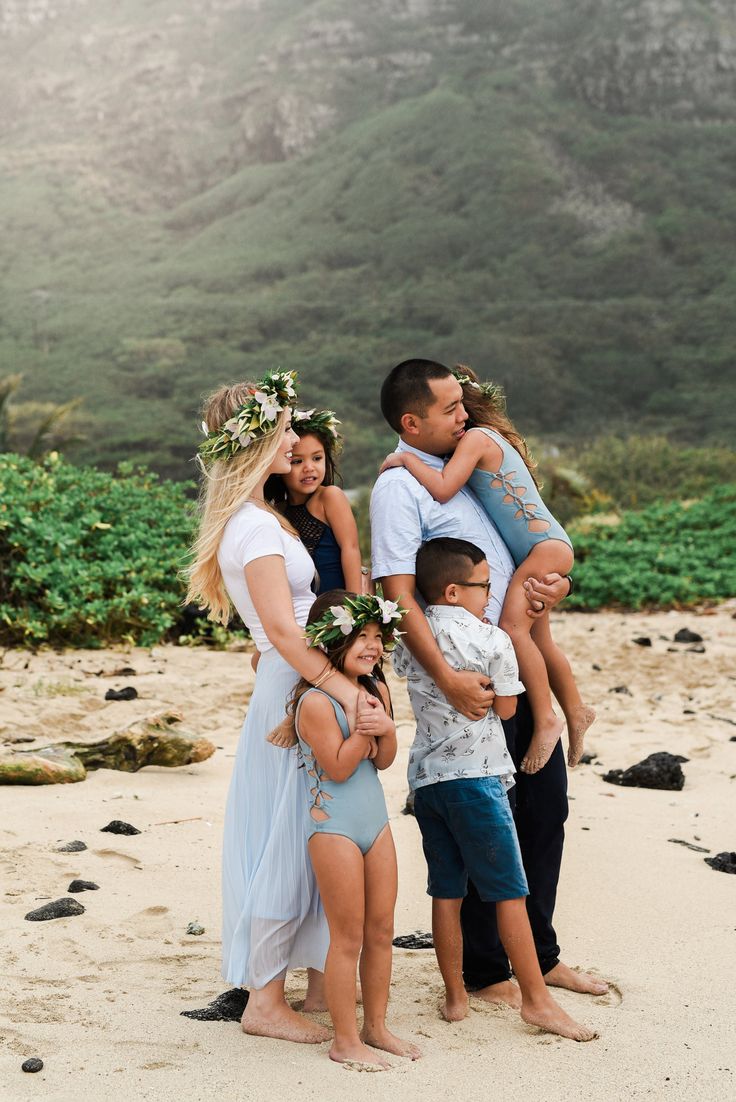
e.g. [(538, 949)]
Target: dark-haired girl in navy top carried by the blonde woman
[(318, 509)]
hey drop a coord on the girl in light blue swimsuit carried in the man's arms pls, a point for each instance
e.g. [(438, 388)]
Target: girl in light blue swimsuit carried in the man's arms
[(494, 461)]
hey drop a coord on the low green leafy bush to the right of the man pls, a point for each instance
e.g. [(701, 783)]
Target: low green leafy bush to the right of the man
[(669, 555)]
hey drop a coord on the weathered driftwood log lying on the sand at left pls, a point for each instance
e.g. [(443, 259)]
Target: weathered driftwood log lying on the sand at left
[(150, 742)]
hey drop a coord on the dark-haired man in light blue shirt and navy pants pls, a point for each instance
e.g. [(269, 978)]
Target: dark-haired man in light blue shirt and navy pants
[(424, 404)]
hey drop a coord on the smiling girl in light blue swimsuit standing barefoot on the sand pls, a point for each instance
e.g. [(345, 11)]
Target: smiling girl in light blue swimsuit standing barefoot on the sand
[(351, 844)]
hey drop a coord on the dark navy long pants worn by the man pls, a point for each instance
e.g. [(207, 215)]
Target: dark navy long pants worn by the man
[(540, 811)]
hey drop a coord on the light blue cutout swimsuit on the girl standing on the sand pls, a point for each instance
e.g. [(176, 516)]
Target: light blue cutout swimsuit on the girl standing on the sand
[(354, 808)]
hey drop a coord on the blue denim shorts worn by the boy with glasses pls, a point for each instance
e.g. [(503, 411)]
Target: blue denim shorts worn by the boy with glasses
[(469, 833)]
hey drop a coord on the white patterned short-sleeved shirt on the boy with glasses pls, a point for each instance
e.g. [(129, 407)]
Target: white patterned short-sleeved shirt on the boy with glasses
[(448, 746)]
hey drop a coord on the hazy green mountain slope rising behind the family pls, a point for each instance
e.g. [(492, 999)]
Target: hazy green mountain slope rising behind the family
[(194, 192)]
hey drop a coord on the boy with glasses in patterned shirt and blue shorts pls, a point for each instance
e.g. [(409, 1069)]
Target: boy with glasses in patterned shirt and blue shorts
[(460, 772)]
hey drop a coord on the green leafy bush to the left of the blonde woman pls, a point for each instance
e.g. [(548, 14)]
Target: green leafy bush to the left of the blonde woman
[(90, 558)]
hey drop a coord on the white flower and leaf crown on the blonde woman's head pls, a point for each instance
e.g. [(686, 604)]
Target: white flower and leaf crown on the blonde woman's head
[(255, 418)]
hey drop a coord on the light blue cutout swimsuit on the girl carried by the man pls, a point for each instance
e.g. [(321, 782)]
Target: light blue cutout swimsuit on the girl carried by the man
[(513, 502)]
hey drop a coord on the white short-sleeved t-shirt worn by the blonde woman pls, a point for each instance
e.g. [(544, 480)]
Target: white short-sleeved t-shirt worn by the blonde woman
[(253, 534)]
